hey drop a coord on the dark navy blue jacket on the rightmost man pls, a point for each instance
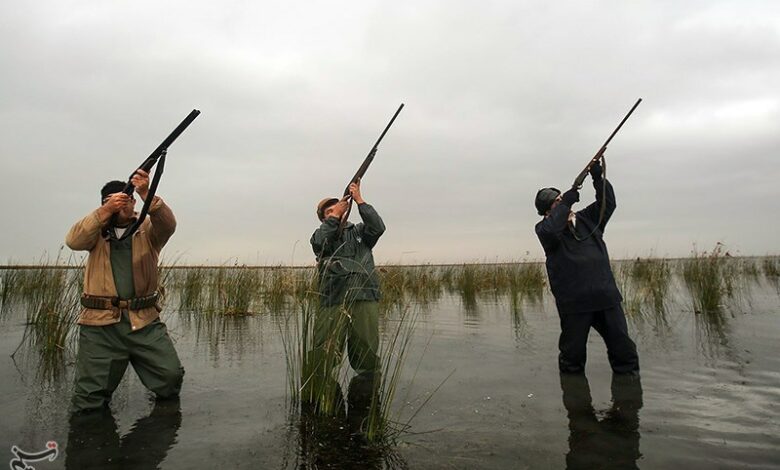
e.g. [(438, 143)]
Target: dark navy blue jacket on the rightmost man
[(580, 275)]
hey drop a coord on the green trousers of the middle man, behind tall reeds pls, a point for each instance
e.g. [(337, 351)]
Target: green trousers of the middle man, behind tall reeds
[(357, 325)]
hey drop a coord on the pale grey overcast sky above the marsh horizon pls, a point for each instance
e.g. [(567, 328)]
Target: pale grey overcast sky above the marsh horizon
[(502, 97)]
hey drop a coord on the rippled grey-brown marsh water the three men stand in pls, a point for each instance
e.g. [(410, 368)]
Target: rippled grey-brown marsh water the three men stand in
[(709, 397)]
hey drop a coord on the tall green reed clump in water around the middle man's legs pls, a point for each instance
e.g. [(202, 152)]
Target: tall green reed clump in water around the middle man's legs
[(318, 372)]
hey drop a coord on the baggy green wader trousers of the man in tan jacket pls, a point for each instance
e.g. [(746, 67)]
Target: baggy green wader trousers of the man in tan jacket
[(104, 352)]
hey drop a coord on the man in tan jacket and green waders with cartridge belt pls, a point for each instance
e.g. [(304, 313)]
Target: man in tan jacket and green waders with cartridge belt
[(120, 319)]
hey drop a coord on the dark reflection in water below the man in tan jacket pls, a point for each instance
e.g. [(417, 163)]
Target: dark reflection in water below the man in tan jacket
[(93, 440)]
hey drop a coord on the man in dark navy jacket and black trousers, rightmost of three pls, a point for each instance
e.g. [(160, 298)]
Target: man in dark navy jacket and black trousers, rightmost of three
[(581, 277)]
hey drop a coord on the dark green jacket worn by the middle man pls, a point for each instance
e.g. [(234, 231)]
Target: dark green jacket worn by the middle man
[(345, 264)]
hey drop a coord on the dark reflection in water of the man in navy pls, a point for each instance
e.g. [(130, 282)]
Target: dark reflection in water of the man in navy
[(612, 442)]
